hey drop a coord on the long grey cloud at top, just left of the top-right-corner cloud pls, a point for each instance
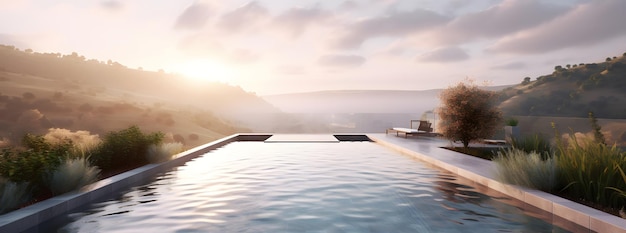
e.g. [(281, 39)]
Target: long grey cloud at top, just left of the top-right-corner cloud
[(507, 17)]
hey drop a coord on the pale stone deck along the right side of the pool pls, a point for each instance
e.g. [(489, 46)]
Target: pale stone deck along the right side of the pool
[(428, 149)]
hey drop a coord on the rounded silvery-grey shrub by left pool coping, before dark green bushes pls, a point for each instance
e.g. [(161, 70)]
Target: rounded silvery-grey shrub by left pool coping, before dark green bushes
[(71, 175)]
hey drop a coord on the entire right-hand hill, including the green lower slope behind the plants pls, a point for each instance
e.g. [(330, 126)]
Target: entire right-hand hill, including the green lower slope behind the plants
[(566, 97)]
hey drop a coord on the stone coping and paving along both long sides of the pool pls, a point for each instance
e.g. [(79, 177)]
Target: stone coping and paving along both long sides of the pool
[(477, 170)]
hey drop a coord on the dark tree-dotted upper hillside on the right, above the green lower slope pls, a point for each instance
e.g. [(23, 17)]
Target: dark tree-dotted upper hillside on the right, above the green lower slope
[(572, 91)]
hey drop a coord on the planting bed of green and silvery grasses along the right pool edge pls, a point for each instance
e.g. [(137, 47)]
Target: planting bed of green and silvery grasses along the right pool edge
[(580, 168)]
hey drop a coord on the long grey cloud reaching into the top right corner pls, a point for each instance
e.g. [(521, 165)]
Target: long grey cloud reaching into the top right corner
[(587, 24)]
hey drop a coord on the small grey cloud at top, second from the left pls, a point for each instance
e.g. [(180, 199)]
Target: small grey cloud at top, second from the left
[(243, 17)]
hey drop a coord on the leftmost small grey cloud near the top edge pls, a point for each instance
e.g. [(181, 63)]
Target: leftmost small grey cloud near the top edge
[(194, 17)]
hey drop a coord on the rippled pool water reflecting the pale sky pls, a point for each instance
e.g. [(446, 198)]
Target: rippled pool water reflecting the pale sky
[(306, 187)]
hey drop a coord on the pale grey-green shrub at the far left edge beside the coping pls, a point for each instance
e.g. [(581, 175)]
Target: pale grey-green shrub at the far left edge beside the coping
[(13, 195)]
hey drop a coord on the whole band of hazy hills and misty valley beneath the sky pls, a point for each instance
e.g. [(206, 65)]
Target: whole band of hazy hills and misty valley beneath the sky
[(43, 90)]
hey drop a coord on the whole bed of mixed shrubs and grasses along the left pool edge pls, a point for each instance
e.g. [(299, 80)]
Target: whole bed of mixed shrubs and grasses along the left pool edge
[(63, 161)]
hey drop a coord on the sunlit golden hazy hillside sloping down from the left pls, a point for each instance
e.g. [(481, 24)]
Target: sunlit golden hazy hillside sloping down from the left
[(49, 90)]
